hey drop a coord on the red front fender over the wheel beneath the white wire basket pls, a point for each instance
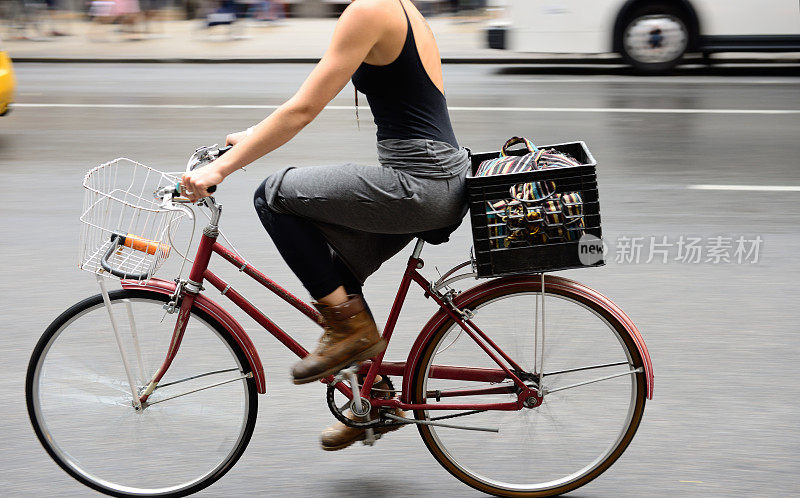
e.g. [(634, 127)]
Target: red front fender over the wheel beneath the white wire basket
[(223, 317)]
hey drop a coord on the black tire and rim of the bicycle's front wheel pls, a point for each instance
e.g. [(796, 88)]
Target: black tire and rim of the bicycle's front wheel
[(98, 483)]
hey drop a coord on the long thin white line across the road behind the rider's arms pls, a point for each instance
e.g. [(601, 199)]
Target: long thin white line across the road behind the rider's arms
[(620, 110)]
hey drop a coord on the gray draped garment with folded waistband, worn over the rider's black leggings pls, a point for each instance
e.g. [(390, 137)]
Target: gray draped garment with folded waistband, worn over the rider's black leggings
[(368, 213)]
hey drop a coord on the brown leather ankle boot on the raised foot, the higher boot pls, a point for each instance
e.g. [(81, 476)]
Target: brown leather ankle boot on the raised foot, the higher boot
[(350, 336)]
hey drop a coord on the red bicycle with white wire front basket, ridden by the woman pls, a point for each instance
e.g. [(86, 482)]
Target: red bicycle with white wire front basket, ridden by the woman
[(152, 389)]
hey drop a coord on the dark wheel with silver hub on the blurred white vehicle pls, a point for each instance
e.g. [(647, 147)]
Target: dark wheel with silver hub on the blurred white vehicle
[(654, 37)]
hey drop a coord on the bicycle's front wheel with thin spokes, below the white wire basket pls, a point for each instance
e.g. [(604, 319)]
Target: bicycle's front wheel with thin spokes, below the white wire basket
[(195, 426)]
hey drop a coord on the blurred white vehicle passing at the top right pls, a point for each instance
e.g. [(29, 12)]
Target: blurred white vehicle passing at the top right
[(651, 35)]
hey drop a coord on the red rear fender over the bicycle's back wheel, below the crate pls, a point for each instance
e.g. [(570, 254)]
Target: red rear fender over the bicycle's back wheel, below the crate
[(570, 286)]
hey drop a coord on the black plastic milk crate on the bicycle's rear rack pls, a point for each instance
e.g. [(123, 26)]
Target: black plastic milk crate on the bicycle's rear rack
[(532, 257)]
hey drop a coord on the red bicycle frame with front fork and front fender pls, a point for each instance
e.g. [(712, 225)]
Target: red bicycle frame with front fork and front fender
[(507, 368)]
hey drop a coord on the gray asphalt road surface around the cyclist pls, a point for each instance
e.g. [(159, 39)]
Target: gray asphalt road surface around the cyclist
[(723, 336)]
